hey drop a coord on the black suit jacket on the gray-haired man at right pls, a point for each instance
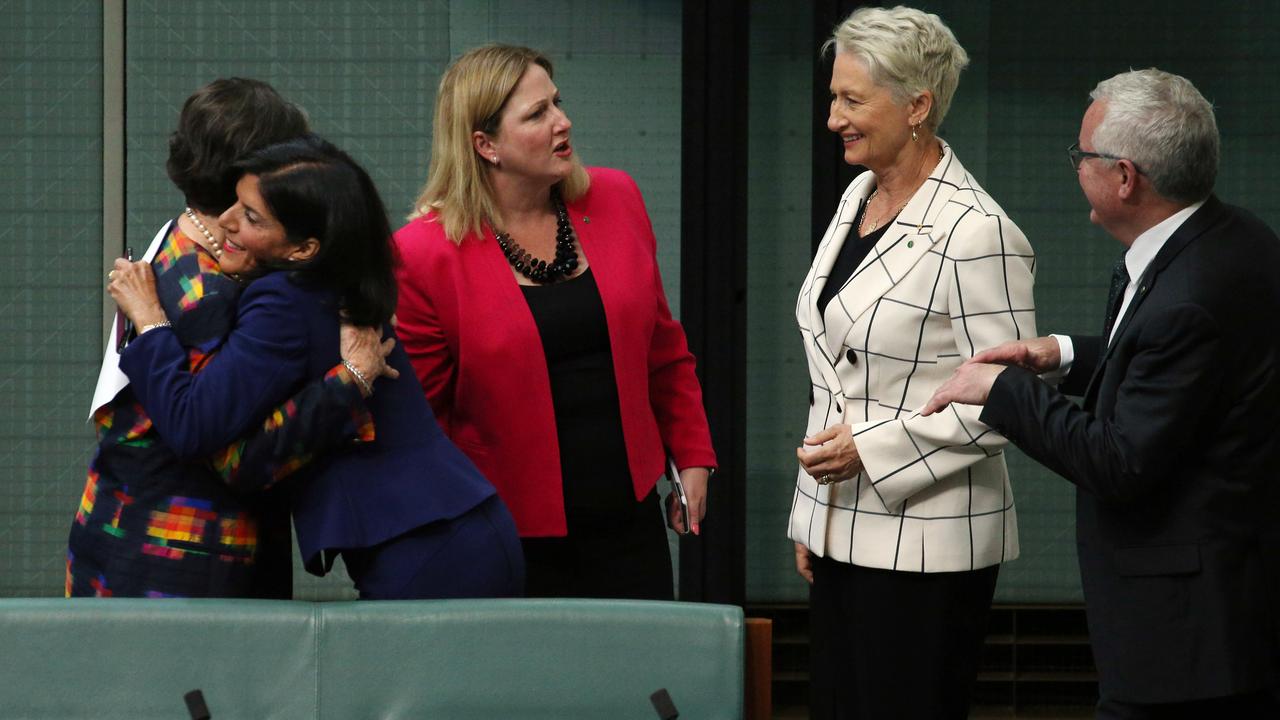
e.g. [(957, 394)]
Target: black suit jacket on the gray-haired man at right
[(1178, 466)]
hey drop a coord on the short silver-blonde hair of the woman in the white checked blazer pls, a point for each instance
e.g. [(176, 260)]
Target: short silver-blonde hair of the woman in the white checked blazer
[(907, 52)]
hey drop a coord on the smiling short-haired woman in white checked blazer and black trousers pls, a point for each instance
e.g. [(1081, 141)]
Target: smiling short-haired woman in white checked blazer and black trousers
[(902, 522)]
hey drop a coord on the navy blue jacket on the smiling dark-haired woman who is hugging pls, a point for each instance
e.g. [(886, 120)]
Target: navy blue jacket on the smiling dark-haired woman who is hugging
[(287, 335)]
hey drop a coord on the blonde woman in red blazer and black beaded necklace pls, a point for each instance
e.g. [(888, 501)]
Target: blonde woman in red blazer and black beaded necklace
[(533, 313)]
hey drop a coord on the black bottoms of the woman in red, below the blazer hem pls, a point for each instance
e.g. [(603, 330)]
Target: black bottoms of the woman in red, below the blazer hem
[(620, 553)]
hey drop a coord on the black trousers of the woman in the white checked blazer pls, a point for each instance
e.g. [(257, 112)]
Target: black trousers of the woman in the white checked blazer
[(890, 645)]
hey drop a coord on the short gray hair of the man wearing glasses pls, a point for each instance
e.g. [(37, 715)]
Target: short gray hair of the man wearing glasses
[(1162, 124)]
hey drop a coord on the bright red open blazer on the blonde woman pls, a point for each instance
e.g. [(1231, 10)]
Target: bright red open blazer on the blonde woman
[(476, 348)]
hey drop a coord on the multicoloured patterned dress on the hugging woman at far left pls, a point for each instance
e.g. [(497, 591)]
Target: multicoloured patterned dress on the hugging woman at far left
[(152, 525)]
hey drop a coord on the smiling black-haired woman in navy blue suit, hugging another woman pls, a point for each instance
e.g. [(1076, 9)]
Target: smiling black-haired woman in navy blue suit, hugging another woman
[(410, 514)]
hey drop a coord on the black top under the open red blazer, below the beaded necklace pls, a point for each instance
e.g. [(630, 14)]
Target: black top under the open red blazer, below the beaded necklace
[(575, 335)]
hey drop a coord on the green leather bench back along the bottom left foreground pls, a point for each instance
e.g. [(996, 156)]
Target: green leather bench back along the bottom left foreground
[(455, 660)]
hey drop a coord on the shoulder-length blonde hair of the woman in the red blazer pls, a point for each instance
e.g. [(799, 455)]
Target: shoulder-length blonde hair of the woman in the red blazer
[(473, 97)]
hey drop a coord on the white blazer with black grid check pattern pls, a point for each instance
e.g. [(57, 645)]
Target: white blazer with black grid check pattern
[(950, 277)]
